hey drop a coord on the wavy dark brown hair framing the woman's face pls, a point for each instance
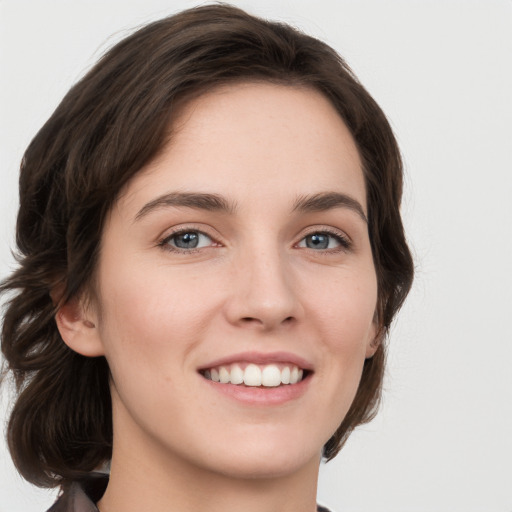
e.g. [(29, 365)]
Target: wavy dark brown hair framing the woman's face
[(108, 126)]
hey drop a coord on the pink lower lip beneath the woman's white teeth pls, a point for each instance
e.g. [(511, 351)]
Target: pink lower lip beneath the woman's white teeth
[(262, 395)]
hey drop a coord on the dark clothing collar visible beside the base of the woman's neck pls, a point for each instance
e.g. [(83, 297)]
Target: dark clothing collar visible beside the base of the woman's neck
[(82, 496)]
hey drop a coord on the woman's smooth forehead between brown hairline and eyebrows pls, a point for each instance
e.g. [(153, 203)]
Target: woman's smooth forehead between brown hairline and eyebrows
[(255, 140)]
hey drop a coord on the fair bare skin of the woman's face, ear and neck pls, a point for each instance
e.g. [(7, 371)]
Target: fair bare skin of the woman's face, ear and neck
[(252, 285)]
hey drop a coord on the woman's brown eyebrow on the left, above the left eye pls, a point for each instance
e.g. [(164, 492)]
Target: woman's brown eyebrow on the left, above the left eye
[(196, 200)]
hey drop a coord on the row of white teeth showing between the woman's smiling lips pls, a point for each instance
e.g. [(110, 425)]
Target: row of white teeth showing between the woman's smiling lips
[(254, 375)]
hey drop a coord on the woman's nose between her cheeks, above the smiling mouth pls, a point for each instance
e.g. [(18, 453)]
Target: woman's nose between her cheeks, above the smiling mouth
[(264, 294)]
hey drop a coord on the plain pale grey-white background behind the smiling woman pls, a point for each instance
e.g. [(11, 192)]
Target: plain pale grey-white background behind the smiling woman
[(441, 70)]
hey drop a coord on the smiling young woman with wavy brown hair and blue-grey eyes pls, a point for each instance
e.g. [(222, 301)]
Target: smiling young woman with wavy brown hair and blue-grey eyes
[(210, 256)]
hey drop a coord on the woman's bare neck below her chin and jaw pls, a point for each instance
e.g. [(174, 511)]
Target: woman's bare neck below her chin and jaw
[(148, 478)]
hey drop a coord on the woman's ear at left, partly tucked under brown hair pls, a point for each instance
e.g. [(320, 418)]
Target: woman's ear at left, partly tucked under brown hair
[(77, 325)]
